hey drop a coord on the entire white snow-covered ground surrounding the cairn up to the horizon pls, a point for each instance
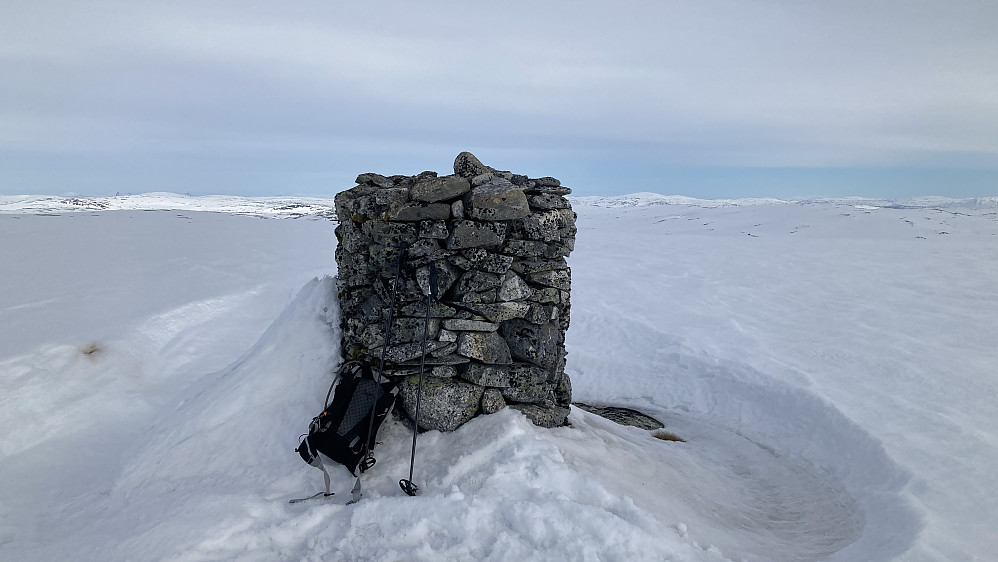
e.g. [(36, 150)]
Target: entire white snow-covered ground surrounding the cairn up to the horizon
[(831, 363)]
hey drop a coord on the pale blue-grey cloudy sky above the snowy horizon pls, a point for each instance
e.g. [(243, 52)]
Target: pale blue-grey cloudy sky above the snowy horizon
[(707, 98)]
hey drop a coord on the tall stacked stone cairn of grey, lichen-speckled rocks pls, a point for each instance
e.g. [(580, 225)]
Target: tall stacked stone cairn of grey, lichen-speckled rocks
[(498, 242)]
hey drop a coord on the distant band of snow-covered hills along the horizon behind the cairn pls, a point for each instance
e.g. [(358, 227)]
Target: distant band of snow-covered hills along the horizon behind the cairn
[(296, 207)]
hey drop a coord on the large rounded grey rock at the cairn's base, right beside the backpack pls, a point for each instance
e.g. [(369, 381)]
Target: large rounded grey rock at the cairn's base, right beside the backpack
[(445, 404)]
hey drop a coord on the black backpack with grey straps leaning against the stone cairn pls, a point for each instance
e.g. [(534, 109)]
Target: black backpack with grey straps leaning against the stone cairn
[(345, 431)]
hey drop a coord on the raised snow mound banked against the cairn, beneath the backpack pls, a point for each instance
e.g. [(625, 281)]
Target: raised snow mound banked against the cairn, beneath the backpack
[(218, 467)]
